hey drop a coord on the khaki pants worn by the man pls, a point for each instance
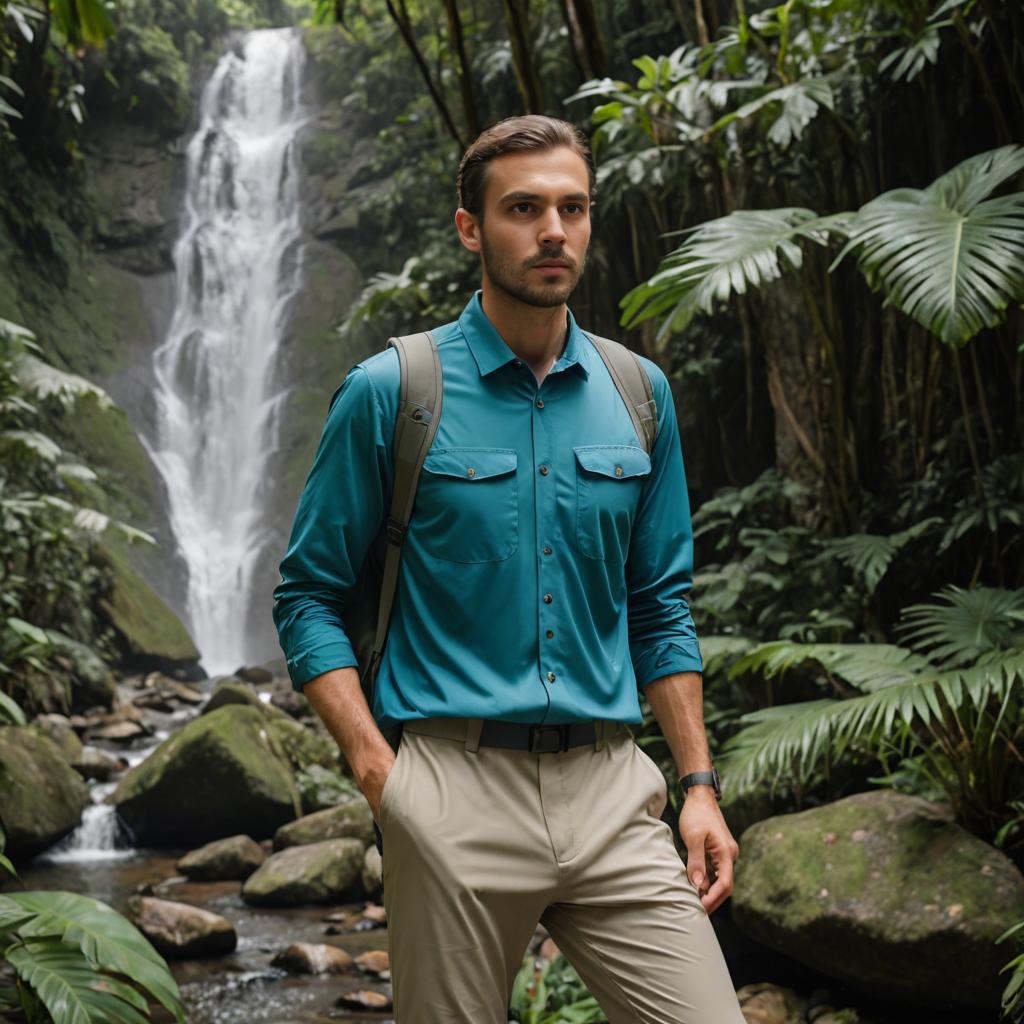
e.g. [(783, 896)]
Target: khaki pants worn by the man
[(480, 846)]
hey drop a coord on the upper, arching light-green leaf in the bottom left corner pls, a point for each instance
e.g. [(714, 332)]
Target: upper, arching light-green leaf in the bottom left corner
[(106, 938)]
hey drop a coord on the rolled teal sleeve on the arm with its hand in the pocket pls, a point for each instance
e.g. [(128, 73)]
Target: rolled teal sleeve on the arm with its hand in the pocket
[(339, 514)]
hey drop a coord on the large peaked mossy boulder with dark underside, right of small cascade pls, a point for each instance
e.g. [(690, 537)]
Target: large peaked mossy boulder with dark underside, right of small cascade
[(223, 775)]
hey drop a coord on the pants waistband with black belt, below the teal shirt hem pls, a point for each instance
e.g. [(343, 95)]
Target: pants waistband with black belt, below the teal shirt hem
[(477, 733)]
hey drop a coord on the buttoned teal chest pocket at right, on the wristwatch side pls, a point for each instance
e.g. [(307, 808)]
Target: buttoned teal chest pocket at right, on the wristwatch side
[(610, 479)]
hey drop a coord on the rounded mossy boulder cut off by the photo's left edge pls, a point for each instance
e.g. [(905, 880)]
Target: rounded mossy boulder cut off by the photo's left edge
[(41, 796)]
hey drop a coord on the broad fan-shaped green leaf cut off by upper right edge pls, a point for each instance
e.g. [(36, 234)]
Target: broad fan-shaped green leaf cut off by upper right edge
[(948, 255)]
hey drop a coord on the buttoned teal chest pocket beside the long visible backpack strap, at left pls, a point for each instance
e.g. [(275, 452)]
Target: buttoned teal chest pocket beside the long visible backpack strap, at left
[(467, 505)]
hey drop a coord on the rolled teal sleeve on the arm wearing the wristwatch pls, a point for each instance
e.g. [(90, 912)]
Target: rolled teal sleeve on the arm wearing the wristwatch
[(660, 569)]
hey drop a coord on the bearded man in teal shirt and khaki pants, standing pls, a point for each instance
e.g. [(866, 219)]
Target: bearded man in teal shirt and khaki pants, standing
[(543, 581)]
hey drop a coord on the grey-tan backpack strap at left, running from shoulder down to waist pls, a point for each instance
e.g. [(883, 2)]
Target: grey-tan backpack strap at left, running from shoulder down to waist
[(416, 425)]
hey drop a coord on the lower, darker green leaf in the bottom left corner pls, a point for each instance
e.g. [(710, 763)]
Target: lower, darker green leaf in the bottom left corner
[(72, 990)]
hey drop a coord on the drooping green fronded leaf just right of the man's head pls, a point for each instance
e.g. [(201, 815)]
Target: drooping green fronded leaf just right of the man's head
[(723, 259)]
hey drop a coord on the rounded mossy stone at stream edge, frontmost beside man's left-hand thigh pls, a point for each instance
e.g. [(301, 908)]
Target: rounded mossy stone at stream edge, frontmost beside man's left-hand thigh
[(320, 873)]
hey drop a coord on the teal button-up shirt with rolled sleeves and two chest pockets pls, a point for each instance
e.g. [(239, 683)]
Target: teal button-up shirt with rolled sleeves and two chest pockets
[(546, 568)]
